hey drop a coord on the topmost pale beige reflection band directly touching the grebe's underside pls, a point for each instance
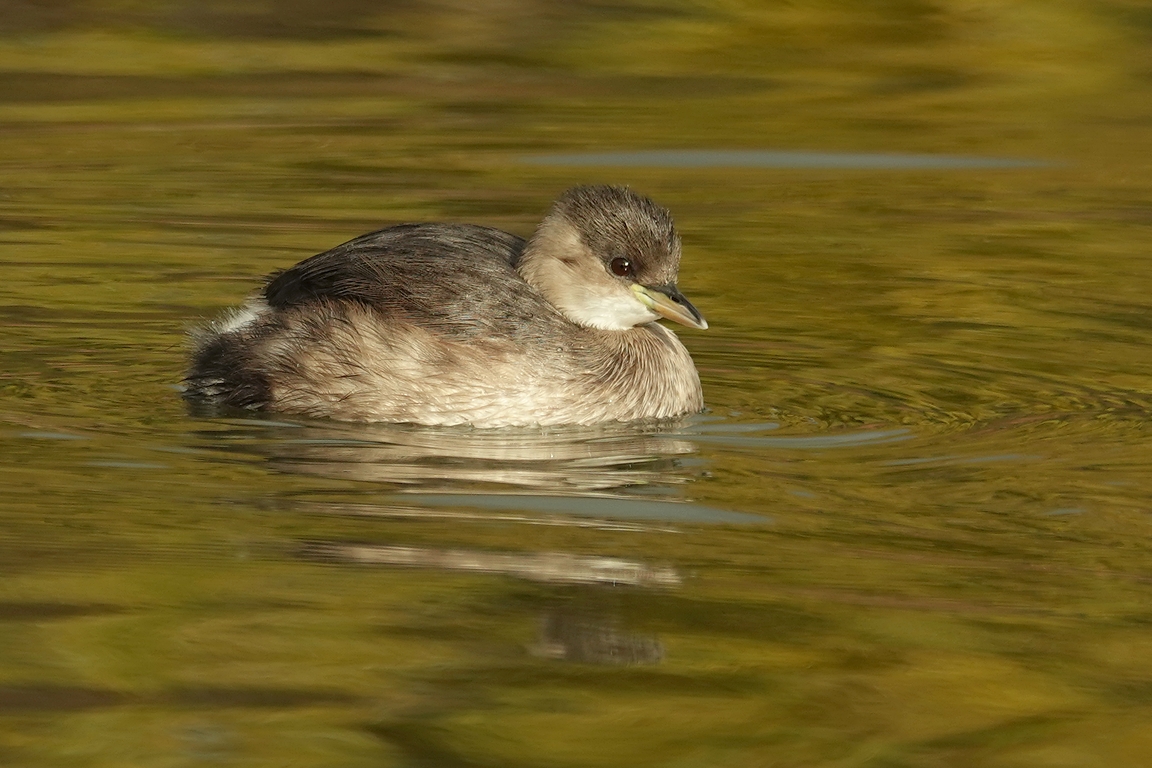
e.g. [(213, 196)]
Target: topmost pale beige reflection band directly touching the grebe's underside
[(604, 460)]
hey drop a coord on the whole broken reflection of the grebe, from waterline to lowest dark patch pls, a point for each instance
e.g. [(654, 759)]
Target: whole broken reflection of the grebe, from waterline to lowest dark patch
[(624, 478)]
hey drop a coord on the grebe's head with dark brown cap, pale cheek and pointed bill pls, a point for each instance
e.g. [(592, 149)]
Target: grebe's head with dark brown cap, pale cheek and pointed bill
[(608, 258)]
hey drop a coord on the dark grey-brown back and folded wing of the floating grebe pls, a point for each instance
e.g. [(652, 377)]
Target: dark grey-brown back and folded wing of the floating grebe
[(459, 280)]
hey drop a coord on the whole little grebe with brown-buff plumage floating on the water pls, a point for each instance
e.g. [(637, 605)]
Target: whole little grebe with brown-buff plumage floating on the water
[(458, 324)]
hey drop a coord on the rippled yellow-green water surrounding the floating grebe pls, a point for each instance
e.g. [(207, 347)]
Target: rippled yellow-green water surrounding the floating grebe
[(930, 389)]
